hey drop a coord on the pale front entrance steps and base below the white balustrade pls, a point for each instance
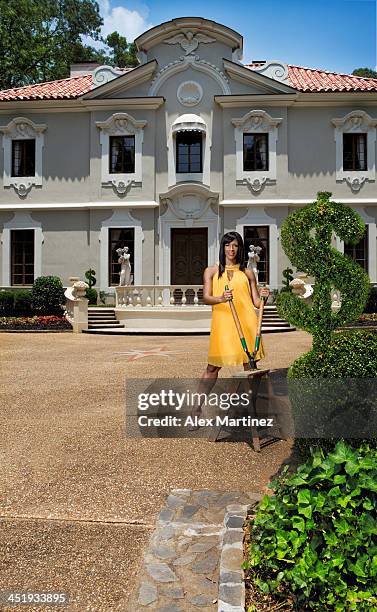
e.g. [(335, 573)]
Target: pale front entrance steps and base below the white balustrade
[(174, 321)]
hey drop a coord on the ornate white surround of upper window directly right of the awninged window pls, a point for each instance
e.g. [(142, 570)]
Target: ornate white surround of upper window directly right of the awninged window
[(256, 122)]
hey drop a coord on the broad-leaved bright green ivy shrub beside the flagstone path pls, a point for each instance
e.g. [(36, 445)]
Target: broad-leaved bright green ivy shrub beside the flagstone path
[(316, 538)]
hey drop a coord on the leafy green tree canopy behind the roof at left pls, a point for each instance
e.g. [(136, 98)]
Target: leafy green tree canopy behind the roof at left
[(40, 39)]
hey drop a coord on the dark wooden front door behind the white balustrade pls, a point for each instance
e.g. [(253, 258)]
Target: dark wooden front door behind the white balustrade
[(189, 257)]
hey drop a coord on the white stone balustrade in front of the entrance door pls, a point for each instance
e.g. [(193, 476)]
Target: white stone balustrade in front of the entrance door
[(162, 296)]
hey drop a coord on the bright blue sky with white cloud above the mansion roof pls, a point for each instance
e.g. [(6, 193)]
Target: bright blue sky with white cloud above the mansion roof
[(338, 35)]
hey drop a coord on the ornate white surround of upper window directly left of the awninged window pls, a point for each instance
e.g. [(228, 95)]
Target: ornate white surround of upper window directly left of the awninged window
[(121, 124)]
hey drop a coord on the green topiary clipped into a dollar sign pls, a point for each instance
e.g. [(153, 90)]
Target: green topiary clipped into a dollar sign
[(306, 239)]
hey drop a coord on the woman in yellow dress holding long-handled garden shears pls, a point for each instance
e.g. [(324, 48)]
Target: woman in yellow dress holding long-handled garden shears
[(225, 348)]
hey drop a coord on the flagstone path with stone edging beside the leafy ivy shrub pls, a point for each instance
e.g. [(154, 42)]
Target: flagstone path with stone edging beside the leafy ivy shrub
[(194, 558)]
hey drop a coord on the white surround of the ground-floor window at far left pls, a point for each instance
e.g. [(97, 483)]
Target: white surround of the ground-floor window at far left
[(21, 221)]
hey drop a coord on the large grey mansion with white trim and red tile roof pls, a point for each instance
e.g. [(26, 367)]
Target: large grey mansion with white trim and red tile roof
[(166, 157)]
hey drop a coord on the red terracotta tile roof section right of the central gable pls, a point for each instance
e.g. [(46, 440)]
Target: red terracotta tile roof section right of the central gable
[(317, 80)]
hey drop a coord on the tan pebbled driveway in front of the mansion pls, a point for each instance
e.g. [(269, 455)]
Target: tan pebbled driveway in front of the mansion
[(78, 499)]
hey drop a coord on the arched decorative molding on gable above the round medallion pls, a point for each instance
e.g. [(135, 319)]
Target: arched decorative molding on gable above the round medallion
[(185, 62)]
